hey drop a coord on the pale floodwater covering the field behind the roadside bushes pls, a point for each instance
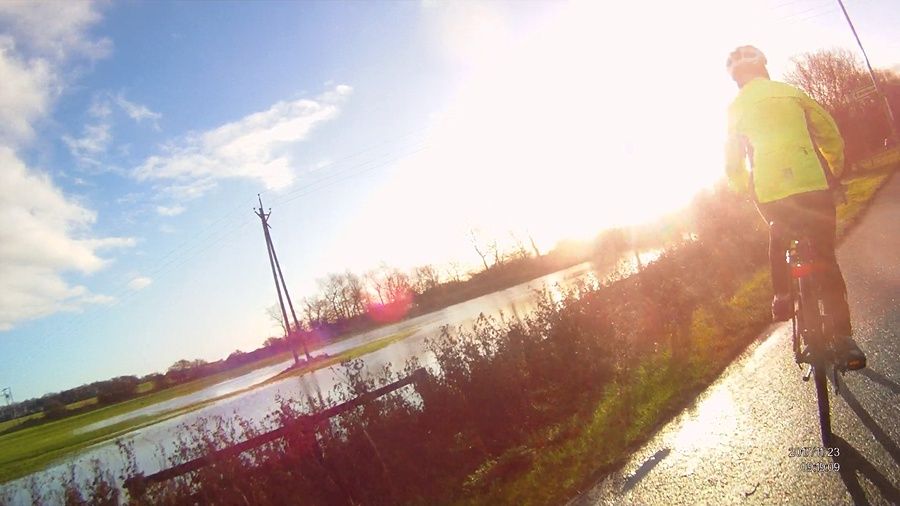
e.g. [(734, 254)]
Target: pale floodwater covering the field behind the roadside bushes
[(150, 443)]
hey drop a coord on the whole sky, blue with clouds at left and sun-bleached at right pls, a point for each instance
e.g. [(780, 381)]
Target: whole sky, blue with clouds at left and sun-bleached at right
[(135, 137)]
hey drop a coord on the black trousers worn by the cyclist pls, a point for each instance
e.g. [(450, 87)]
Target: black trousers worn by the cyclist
[(811, 214)]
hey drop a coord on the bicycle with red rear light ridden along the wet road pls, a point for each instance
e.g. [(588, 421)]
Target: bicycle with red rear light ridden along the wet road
[(813, 327)]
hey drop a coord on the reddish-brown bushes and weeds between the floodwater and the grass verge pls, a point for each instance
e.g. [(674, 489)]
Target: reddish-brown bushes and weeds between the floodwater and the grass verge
[(497, 387)]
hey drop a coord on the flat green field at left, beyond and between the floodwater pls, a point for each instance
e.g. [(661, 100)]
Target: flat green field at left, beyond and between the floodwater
[(29, 450)]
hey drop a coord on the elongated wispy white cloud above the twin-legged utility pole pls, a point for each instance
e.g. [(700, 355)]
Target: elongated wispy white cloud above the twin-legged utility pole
[(253, 147)]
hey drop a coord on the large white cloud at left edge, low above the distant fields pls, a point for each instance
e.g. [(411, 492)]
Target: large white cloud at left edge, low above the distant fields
[(43, 235)]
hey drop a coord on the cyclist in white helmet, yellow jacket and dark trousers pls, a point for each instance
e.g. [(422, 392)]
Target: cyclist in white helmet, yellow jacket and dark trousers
[(796, 154)]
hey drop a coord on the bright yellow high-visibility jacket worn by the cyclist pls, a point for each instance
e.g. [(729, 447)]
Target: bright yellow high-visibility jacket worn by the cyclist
[(779, 128)]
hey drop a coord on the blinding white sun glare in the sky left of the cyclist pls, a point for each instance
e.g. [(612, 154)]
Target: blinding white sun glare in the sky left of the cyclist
[(596, 116)]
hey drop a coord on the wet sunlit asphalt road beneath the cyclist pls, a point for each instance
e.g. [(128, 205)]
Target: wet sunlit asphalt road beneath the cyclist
[(734, 445)]
